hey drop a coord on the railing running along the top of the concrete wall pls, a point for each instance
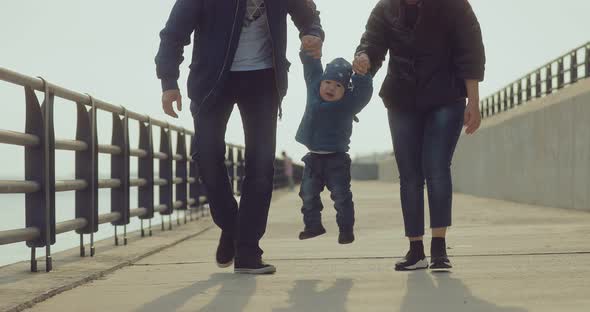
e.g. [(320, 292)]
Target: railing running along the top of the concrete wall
[(550, 78)]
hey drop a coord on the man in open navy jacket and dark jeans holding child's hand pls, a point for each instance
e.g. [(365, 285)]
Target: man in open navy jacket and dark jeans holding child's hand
[(239, 57)]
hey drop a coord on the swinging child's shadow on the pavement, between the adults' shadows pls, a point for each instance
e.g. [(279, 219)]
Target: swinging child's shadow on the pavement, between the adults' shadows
[(305, 296)]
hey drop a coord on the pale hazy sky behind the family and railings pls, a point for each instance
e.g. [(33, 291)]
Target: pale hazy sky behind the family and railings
[(107, 48)]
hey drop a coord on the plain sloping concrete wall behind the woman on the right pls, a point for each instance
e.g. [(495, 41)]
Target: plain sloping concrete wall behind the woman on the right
[(538, 153)]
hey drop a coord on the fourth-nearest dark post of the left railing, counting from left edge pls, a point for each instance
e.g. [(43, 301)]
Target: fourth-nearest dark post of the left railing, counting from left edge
[(146, 171)]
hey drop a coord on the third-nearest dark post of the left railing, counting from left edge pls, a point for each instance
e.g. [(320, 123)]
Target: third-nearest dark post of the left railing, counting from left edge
[(120, 170)]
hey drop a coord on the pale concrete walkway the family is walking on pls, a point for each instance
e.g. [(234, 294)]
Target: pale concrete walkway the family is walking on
[(508, 257)]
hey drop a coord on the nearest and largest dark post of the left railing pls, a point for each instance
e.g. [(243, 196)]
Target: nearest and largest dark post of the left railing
[(40, 167)]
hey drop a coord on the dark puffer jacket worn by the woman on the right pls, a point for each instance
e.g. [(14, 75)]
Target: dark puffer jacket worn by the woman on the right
[(429, 61)]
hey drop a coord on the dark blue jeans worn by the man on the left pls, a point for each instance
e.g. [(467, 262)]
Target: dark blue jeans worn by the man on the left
[(256, 96)]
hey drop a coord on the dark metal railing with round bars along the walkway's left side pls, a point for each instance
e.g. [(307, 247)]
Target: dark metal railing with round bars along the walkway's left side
[(178, 181)]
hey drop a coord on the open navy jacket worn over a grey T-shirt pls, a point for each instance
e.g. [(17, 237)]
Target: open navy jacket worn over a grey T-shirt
[(217, 25)]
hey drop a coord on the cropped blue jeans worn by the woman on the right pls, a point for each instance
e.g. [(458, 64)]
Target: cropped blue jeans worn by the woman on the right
[(424, 143)]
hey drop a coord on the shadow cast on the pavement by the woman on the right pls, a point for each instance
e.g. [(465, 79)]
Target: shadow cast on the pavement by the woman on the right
[(441, 292)]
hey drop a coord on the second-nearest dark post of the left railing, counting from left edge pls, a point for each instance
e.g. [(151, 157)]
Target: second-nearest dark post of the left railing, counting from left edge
[(87, 170)]
